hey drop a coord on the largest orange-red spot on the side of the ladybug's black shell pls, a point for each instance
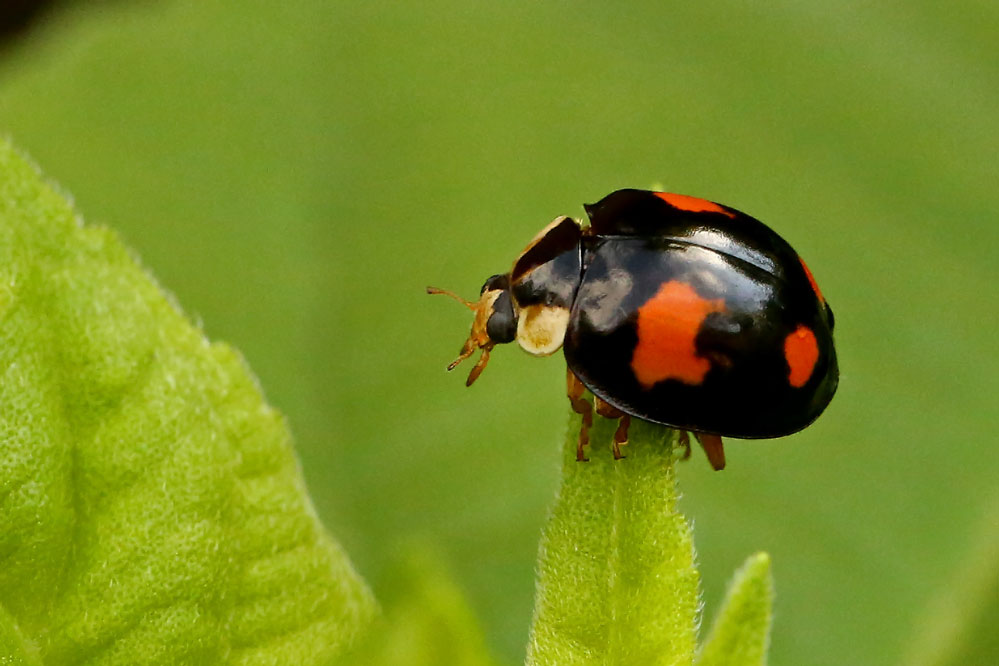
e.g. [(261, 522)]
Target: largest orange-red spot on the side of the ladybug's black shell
[(667, 325)]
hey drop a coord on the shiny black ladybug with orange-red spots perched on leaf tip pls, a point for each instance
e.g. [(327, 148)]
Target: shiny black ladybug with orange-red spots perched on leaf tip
[(670, 309)]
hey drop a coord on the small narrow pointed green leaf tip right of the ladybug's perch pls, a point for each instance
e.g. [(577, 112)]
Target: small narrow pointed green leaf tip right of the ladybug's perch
[(741, 632)]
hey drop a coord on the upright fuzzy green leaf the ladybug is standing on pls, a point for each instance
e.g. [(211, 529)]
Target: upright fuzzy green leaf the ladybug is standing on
[(616, 581)]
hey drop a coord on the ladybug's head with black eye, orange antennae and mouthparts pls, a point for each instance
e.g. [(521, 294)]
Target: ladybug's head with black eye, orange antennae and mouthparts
[(495, 322)]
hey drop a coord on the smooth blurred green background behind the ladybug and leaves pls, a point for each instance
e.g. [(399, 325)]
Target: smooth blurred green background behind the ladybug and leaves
[(296, 173)]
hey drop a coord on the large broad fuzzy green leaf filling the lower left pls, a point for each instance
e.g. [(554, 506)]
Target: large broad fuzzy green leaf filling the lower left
[(151, 506)]
